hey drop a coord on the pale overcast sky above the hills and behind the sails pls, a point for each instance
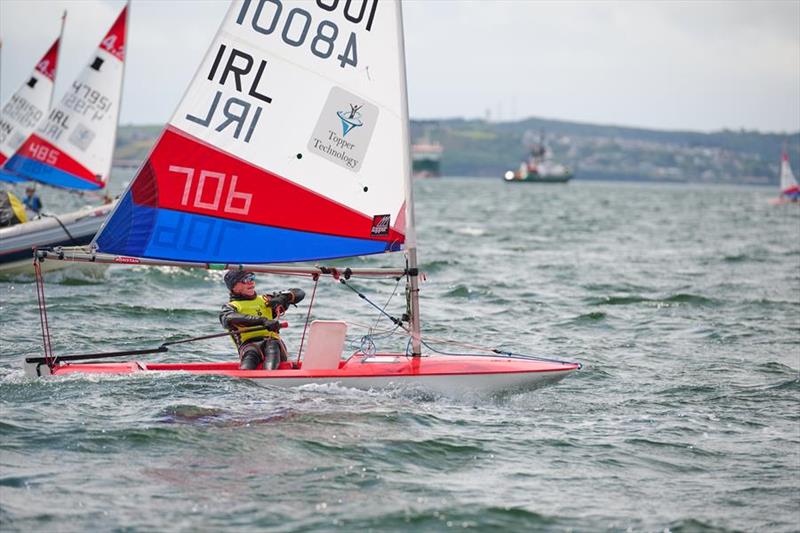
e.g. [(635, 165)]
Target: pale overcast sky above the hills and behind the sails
[(664, 65)]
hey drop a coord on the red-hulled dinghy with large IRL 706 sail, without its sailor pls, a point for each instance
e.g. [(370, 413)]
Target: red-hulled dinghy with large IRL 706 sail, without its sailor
[(293, 134)]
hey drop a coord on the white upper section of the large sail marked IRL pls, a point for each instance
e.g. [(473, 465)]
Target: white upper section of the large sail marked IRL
[(298, 83)]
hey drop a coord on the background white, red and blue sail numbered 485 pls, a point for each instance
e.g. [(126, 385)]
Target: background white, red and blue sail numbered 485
[(73, 146)]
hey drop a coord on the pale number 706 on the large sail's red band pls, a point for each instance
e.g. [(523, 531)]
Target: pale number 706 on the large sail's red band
[(216, 184)]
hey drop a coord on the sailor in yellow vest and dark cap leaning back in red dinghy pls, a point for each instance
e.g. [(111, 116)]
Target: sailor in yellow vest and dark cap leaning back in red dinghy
[(247, 309)]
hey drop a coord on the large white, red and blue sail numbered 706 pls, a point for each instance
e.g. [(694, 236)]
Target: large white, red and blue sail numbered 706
[(290, 144)]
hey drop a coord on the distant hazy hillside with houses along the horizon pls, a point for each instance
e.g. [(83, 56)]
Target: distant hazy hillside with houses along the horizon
[(481, 148)]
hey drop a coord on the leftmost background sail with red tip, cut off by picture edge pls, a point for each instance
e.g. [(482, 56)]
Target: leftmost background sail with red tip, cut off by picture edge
[(28, 106)]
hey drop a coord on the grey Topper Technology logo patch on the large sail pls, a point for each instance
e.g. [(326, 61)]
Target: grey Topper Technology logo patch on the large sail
[(344, 129)]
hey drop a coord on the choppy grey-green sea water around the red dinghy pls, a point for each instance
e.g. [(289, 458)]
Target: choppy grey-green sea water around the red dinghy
[(682, 302)]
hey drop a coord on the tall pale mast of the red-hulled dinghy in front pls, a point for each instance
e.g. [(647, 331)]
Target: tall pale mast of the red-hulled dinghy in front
[(411, 234)]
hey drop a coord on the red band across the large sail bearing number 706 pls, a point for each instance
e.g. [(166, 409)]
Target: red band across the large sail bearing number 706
[(193, 177)]
